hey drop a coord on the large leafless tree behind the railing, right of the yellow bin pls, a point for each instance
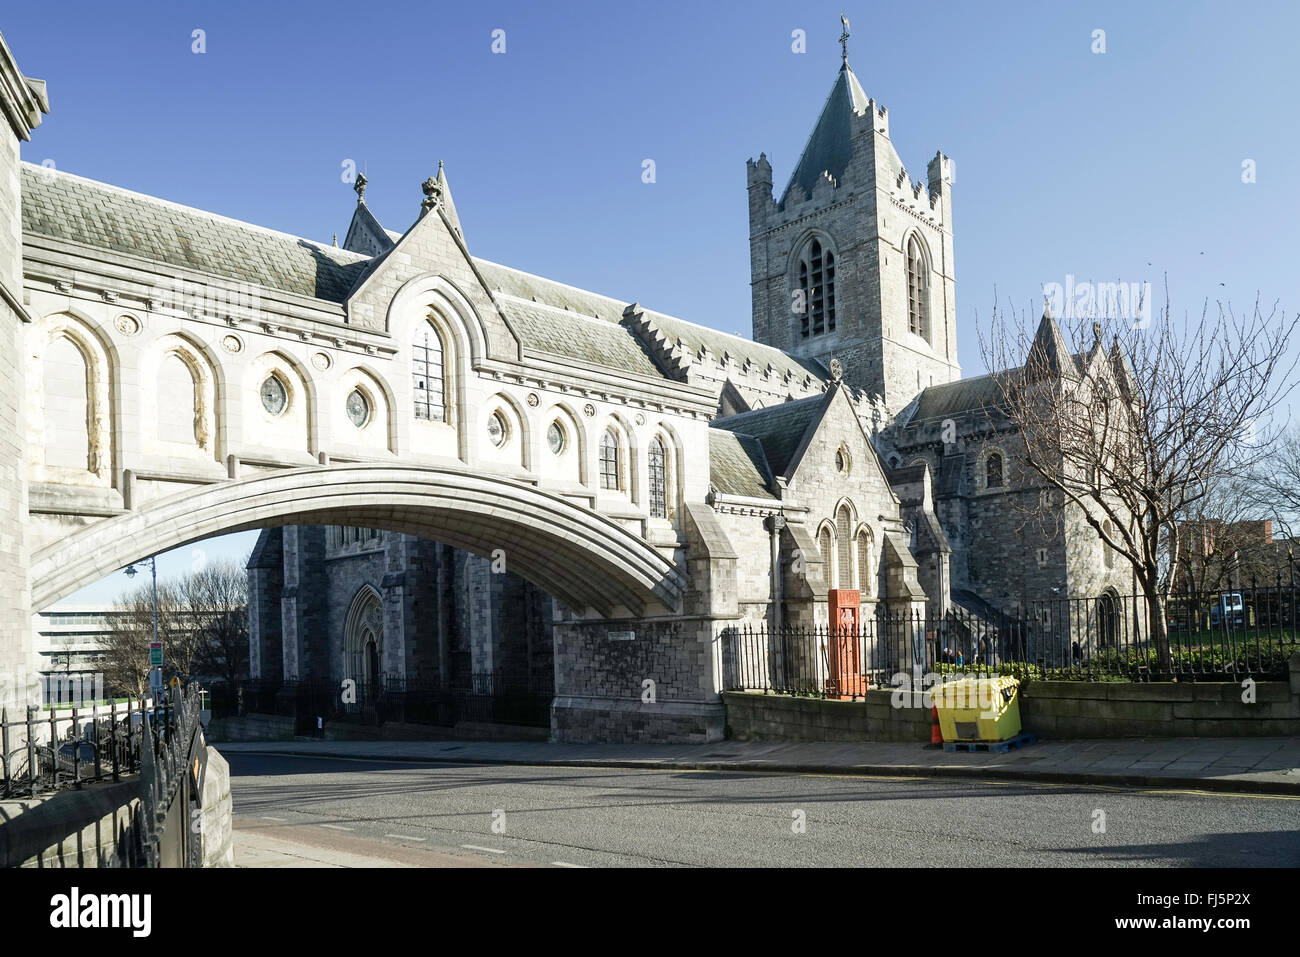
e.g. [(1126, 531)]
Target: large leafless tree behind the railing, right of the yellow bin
[(1136, 435)]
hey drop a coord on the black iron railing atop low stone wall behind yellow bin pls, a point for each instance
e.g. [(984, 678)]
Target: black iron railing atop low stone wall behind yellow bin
[(1223, 636)]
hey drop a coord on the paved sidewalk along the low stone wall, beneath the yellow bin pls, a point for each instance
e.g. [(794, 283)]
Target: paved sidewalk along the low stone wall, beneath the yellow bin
[(1263, 765)]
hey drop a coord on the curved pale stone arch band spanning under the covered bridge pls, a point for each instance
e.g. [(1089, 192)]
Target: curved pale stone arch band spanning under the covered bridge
[(583, 558)]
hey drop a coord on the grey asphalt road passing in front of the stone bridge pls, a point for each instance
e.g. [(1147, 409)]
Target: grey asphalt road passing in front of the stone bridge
[(427, 815)]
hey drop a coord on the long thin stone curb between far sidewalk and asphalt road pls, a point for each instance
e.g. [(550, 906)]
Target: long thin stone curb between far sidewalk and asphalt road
[(1250, 786)]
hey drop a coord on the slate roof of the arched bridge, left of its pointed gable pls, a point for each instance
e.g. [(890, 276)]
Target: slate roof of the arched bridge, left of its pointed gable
[(68, 207)]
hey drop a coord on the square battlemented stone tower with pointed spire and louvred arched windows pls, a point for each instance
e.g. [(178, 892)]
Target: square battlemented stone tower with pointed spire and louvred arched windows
[(856, 262)]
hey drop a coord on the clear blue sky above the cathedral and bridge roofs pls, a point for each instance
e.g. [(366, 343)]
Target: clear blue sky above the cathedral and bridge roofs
[(1120, 166)]
